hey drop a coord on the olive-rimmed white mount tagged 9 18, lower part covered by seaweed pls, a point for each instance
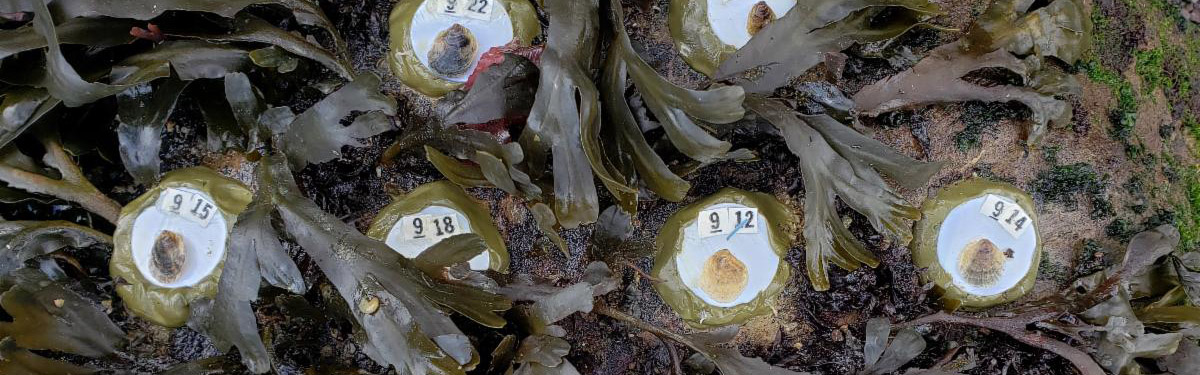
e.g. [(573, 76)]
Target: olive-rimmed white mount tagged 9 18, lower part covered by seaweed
[(435, 212)]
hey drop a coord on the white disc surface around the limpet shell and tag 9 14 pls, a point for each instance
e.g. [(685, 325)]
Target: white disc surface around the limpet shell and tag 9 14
[(964, 225)]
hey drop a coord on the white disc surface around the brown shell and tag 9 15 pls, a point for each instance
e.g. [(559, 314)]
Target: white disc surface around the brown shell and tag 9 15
[(205, 245)]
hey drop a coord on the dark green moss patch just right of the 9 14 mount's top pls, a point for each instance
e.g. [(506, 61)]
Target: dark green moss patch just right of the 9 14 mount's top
[(1065, 183)]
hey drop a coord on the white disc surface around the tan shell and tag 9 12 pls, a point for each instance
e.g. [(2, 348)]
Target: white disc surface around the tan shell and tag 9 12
[(752, 249)]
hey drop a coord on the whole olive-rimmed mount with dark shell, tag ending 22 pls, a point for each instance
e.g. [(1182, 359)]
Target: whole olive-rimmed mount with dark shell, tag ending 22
[(435, 45)]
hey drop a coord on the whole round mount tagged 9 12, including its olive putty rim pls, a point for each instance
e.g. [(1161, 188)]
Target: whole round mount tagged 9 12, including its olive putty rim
[(722, 259)]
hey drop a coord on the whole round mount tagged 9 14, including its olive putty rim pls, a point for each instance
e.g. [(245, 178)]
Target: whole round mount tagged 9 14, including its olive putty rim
[(980, 243)]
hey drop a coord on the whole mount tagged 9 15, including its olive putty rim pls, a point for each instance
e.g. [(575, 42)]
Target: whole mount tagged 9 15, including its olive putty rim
[(170, 243)]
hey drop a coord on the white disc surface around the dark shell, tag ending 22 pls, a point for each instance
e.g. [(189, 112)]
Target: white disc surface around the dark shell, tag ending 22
[(495, 32)]
